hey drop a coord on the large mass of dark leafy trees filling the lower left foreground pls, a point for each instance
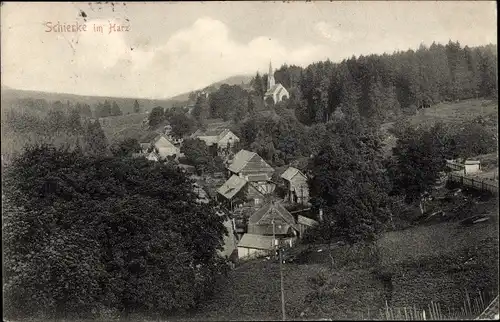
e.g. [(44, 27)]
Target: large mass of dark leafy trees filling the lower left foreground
[(84, 235)]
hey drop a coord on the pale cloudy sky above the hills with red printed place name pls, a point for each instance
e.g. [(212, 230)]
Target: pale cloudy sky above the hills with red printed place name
[(165, 49)]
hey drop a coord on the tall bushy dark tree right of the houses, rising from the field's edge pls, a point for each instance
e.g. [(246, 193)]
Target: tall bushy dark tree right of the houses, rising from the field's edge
[(348, 183)]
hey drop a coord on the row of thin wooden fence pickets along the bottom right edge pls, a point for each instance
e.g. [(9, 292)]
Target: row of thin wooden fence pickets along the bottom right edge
[(472, 308)]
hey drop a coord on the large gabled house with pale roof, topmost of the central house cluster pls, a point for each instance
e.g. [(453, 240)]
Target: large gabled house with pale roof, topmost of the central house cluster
[(251, 167)]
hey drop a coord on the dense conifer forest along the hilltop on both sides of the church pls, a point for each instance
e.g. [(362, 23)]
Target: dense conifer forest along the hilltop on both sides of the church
[(378, 87)]
